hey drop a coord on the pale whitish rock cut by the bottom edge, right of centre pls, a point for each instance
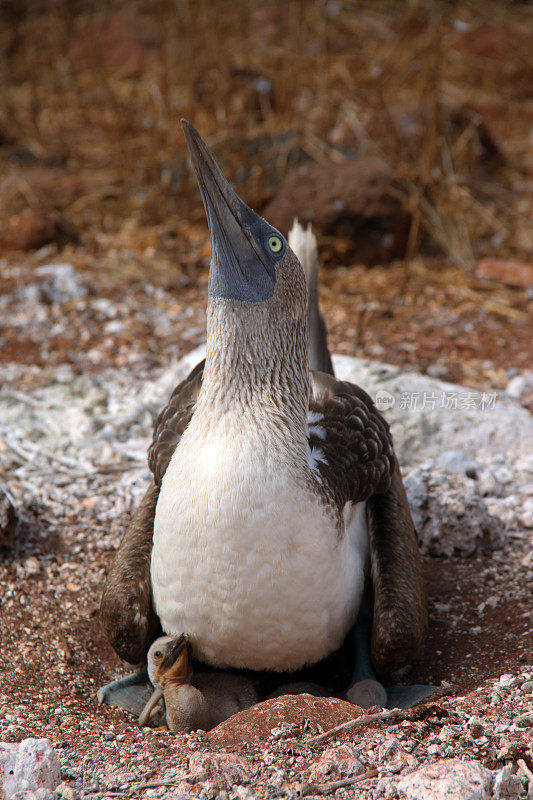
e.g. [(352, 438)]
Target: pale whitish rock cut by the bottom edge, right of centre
[(446, 779)]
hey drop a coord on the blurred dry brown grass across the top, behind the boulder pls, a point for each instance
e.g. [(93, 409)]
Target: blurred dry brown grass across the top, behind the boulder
[(439, 90)]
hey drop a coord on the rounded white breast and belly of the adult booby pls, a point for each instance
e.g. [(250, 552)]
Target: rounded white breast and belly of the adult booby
[(247, 561)]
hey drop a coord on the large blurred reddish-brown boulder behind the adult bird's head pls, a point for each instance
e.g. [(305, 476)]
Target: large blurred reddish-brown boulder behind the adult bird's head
[(358, 200)]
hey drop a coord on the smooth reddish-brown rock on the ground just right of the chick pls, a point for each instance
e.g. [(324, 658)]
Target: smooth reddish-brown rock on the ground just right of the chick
[(256, 723)]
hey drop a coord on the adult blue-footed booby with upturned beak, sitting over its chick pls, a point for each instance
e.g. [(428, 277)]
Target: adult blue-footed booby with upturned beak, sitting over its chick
[(276, 496)]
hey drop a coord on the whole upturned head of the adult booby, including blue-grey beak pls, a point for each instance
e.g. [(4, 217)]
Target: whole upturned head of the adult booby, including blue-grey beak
[(253, 269)]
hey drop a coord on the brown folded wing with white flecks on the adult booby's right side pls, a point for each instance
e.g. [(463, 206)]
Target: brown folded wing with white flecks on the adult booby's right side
[(359, 464)]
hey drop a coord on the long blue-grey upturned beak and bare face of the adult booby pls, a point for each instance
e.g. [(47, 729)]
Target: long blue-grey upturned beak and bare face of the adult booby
[(244, 248)]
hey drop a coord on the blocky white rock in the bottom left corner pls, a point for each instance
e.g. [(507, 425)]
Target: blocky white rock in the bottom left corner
[(31, 765)]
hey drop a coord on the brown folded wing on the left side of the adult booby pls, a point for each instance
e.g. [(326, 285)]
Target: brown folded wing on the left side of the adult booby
[(126, 611)]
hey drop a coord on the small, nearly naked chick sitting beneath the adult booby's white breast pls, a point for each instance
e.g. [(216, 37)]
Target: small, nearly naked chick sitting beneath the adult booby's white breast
[(192, 702)]
